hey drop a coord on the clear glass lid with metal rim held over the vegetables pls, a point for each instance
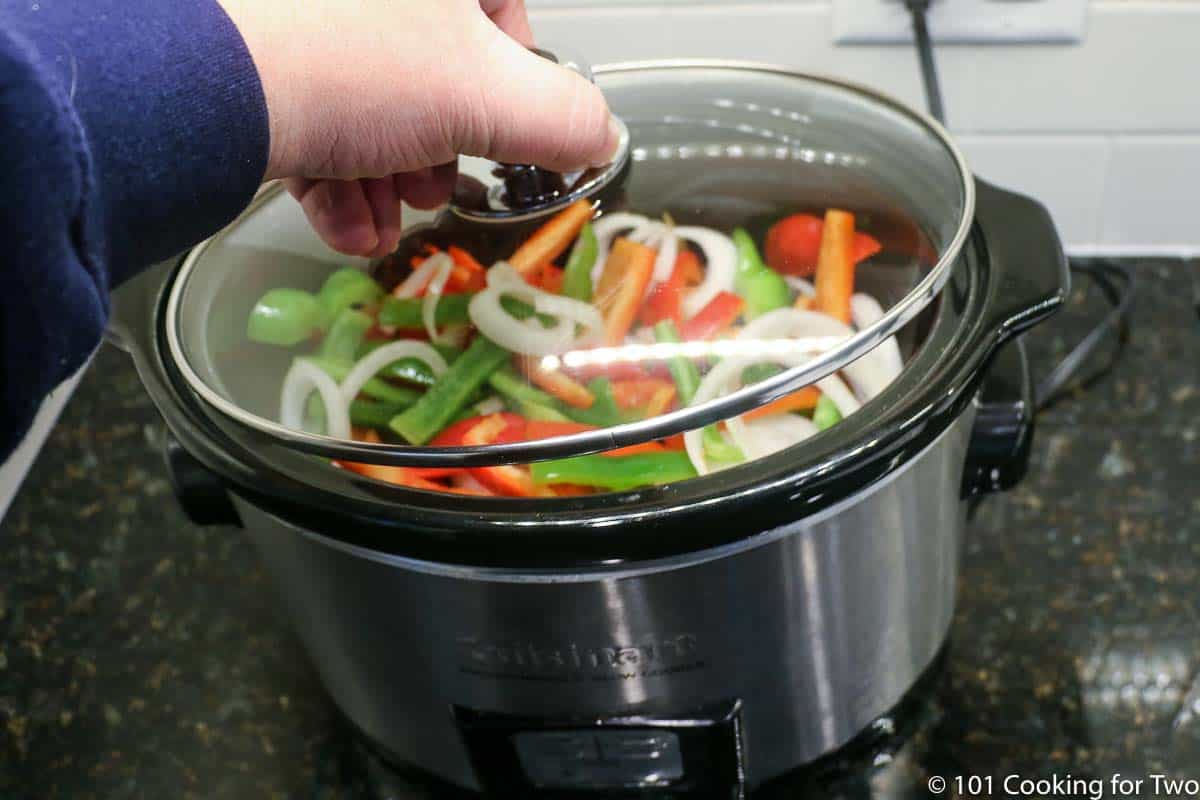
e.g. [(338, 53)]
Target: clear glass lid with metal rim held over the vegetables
[(745, 284)]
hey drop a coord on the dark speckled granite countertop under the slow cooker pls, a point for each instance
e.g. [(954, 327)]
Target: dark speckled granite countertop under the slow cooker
[(142, 657)]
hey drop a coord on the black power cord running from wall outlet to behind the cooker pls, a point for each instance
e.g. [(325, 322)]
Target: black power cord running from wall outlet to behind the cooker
[(1117, 281)]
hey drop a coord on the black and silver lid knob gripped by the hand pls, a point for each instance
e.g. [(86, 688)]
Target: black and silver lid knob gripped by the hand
[(489, 191)]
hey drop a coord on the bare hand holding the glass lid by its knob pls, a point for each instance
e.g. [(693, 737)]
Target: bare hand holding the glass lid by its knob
[(373, 101)]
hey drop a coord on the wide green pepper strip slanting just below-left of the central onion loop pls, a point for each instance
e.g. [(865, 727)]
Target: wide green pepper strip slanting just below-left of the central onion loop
[(453, 390)]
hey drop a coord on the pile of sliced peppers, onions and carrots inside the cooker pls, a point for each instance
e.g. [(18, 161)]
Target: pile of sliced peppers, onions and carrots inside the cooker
[(554, 341)]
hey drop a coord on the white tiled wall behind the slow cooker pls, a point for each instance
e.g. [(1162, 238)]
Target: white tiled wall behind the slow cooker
[(1106, 133)]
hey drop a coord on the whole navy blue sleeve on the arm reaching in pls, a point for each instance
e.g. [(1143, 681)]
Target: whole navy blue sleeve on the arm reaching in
[(129, 130)]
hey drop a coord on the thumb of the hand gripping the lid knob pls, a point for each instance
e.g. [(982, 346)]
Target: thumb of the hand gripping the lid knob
[(532, 111)]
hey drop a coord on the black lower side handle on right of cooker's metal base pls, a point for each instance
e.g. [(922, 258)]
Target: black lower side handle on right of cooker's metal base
[(1003, 434)]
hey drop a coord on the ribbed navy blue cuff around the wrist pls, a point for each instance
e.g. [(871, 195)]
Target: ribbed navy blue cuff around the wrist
[(172, 111)]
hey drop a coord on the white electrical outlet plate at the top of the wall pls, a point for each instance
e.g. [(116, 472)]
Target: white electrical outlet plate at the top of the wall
[(889, 22)]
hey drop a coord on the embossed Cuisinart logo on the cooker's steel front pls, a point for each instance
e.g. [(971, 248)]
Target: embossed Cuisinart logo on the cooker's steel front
[(573, 661)]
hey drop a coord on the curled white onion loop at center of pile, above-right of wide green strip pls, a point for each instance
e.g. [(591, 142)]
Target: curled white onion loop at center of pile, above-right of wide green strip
[(529, 336)]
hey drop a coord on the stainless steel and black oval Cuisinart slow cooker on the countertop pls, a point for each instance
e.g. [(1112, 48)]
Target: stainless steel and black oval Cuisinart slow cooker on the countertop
[(692, 640)]
